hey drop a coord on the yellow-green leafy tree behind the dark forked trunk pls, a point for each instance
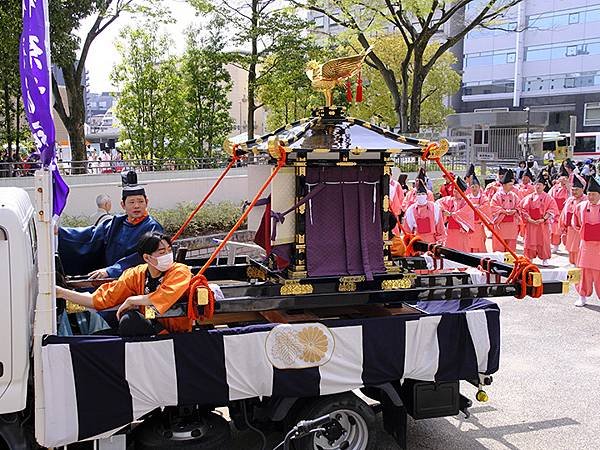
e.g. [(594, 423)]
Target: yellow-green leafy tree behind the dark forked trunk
[(440, 82)]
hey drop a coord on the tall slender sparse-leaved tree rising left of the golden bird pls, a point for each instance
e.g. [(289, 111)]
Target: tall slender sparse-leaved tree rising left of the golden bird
[(265, 31)]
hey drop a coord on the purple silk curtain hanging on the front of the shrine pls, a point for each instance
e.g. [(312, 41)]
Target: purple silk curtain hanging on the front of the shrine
[(343, 222)]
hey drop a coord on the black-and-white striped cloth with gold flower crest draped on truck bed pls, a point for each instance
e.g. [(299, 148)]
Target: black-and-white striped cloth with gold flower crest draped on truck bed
[(95, 385)]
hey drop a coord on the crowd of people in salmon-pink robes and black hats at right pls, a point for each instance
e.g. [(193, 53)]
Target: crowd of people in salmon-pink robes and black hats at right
[(547, 207)]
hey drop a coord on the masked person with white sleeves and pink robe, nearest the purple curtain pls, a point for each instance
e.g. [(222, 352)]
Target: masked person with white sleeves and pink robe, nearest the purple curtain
[(424, 217)]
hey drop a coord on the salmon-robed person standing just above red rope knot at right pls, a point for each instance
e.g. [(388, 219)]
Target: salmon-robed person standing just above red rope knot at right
[(538, 211)]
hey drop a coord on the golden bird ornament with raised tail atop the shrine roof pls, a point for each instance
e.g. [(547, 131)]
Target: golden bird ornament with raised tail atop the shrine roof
[(325, 77)]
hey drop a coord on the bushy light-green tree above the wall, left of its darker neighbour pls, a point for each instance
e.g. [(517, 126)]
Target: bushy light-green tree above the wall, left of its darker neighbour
[(150, 107)]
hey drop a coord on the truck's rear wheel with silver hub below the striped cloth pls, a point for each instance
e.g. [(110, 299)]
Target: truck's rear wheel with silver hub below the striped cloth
[(357, 420)]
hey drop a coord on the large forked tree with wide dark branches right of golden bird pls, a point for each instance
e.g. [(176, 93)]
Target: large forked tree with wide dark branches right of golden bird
[(420, 23)]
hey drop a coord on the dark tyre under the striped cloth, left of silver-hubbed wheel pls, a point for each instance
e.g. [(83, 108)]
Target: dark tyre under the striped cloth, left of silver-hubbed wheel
[(210, 432)]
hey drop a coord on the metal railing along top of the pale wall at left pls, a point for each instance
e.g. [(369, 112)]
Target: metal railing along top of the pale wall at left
[(27, 168)]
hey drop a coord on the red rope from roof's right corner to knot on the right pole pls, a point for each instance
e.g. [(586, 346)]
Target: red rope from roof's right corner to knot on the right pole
[(523, 269)]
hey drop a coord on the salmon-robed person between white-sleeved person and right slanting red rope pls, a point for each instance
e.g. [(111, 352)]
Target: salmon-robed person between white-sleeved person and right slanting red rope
[(459, 219)]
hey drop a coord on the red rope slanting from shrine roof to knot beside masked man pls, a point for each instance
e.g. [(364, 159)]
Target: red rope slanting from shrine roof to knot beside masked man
[(199, 280)]
